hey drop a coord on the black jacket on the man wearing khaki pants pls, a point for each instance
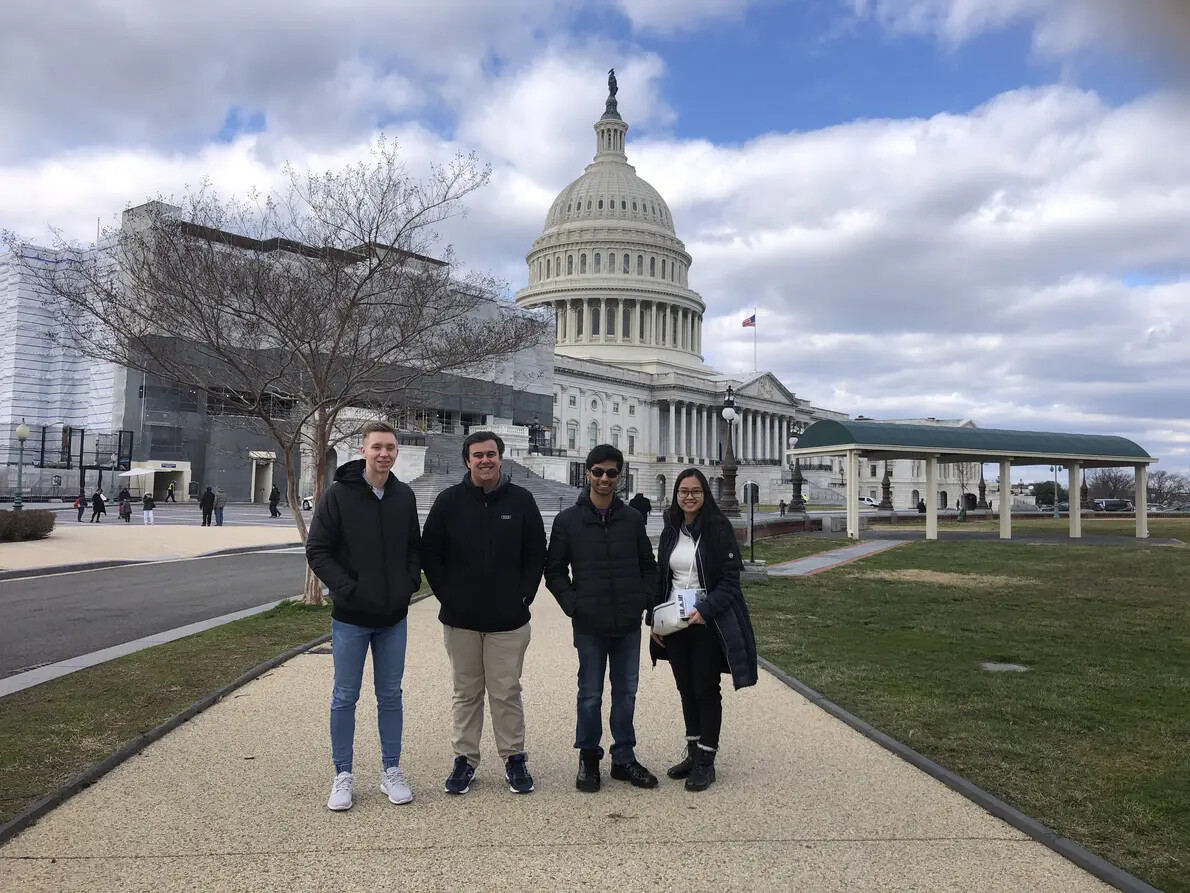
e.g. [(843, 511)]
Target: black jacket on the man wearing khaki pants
[(484, 555)]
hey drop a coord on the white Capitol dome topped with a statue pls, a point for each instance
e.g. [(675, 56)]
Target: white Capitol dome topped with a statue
[(611, 266)]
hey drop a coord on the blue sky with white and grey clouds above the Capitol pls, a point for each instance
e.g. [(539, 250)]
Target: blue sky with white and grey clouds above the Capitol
[(938, 208)]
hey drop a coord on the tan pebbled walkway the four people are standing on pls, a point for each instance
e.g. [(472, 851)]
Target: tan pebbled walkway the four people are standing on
[(236, 801)]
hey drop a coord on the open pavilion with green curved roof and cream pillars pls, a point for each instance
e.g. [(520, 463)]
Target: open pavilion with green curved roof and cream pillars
[(950, 444)]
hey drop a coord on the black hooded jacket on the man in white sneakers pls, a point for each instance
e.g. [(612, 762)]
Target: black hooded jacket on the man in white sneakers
[(367, 551)]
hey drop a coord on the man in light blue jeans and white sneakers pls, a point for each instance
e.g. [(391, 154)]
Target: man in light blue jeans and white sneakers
[(366, 546)]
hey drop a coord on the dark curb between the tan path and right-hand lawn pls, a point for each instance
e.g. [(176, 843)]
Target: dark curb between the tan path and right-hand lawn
[(1066, 848)]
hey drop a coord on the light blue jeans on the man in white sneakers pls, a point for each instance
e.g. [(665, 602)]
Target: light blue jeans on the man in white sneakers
[(350, 648)]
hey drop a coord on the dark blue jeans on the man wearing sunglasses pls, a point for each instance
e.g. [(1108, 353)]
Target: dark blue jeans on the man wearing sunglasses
[(621, 658)]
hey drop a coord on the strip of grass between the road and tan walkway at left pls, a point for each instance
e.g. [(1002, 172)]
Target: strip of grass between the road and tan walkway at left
[(57, 730)]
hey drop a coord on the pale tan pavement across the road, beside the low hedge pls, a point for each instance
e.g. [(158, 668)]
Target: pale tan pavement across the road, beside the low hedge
[(74, 544)]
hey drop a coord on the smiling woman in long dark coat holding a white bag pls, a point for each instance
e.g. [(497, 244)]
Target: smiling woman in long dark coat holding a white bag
[(699, 551)]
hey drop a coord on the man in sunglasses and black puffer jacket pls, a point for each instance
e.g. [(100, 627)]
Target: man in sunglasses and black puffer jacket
[(602, 570)]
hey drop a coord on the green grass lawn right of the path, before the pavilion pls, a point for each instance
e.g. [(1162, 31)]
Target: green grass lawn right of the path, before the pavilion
[(1094, 741)]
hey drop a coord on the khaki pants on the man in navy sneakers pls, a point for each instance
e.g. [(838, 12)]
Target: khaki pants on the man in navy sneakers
[(492, 663)]
